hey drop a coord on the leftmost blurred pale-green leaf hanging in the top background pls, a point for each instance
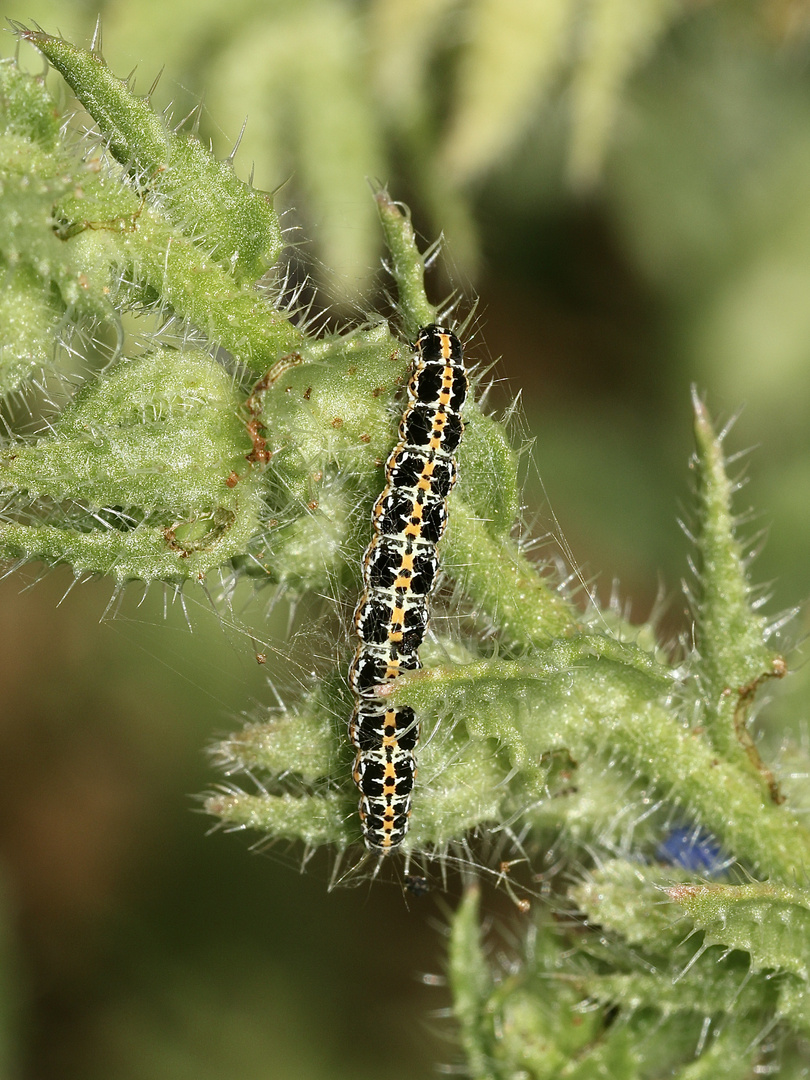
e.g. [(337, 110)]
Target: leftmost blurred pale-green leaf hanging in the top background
[(300, 73)]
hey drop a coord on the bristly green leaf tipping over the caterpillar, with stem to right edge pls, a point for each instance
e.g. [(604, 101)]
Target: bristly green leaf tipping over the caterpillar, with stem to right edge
[(577, 696)]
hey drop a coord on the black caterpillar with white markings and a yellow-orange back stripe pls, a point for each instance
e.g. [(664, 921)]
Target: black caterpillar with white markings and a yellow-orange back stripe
[(399, 571)]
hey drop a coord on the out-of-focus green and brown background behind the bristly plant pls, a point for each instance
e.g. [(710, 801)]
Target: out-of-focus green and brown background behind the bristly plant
[(625, 185)]
